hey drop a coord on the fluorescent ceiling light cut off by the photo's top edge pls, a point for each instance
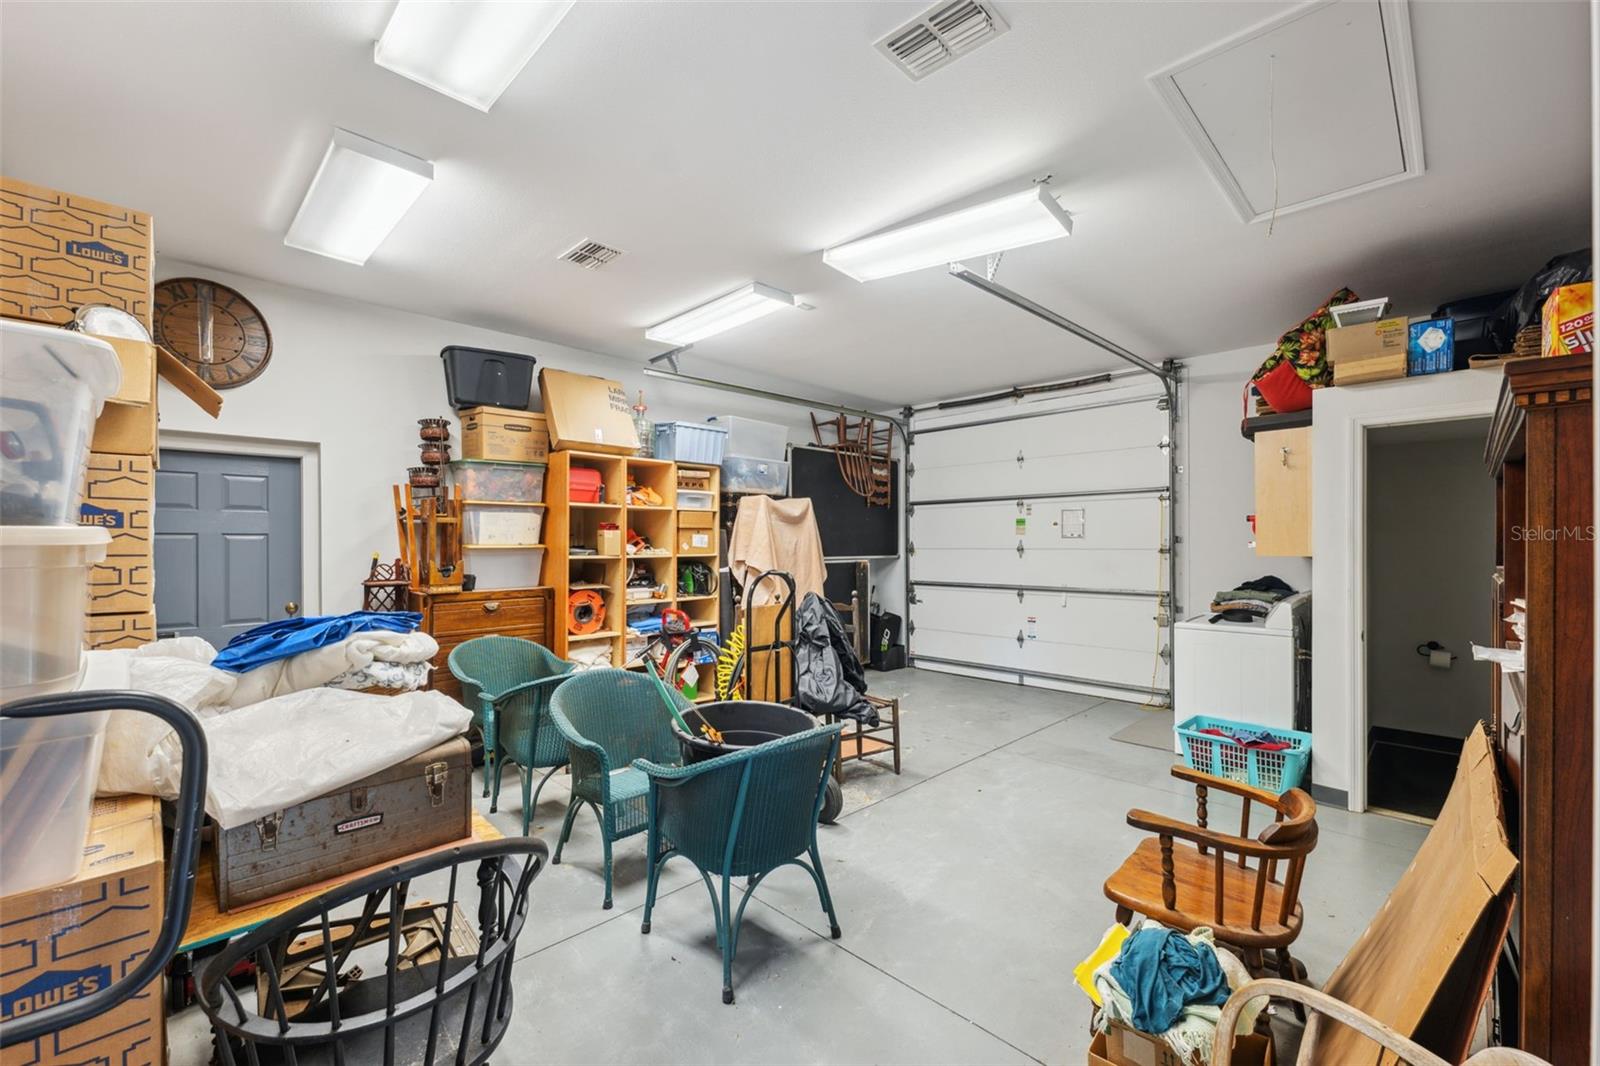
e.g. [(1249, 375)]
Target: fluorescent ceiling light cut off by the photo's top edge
[(470, 50)]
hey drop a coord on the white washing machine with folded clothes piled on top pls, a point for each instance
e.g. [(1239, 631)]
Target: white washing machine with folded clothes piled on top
[(1255, 671)]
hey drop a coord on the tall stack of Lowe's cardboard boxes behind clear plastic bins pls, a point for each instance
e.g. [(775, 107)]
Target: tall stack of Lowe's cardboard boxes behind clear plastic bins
[(68, 252)]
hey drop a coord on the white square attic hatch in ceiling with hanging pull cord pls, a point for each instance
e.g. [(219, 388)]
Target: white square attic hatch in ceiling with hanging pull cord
[(1308, 108)]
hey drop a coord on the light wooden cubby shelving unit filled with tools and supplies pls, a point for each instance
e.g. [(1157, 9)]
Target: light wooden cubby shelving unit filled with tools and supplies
[(577, 524)]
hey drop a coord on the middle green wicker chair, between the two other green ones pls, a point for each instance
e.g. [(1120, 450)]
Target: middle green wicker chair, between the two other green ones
[(612, 718)]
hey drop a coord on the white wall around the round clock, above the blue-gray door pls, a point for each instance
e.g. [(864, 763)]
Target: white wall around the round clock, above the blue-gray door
[(353, 379)]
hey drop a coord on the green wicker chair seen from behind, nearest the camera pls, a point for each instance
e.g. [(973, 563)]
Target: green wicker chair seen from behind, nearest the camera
[(743, 816)]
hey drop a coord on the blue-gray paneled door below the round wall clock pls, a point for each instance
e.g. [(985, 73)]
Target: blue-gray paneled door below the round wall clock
[(228, 543)]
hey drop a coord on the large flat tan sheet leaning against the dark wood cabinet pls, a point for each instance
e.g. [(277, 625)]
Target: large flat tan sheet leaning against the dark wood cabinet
[(1425, 963)]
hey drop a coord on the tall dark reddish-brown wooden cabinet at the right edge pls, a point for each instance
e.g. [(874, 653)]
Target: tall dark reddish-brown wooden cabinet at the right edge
[(1540, 454)]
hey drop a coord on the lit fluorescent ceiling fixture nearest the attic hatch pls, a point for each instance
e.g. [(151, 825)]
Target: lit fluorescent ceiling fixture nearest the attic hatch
[(1015, 222)]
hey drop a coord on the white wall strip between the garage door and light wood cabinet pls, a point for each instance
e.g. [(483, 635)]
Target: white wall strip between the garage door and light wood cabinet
[(1218, 484)]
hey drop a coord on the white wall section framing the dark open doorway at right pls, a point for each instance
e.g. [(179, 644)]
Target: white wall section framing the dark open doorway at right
[(1342, 419)]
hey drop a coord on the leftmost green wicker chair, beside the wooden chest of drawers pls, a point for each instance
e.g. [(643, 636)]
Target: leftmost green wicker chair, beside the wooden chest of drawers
[(508, 683)]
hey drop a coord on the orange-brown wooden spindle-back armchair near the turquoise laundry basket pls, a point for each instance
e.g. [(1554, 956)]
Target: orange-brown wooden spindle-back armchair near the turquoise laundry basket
[(1246, 889)]
